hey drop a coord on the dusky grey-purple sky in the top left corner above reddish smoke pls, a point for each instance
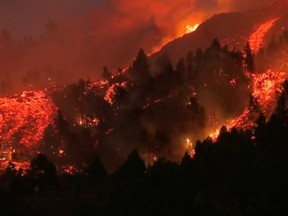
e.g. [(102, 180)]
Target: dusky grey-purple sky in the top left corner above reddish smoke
[(26, 17)]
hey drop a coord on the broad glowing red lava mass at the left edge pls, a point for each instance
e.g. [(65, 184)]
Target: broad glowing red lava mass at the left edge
[(23, 119)]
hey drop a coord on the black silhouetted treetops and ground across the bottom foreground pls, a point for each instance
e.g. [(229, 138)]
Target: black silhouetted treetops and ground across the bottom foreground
[(242, 173)]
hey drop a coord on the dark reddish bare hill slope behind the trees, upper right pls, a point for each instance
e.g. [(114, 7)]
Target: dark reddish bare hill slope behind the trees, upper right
[(232, 29)]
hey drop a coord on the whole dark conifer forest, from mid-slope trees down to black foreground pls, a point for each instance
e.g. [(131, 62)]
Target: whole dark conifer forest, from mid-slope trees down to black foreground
[(129, 149)]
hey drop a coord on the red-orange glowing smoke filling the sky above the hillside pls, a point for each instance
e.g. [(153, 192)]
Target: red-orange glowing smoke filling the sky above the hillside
[(84, 36)]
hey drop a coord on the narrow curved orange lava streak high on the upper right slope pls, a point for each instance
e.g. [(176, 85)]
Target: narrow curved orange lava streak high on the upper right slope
[(256, 39)]
